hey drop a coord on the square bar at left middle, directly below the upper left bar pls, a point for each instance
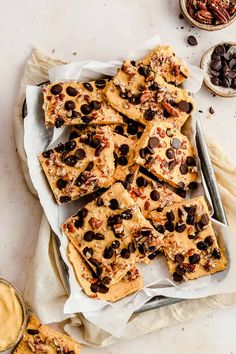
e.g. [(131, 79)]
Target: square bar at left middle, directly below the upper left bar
[(80, 166)]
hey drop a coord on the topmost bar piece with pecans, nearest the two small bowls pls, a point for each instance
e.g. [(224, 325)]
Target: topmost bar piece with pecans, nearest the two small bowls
[(163, 61)]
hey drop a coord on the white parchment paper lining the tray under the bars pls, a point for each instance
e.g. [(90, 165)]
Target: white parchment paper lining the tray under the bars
[(110, 317)]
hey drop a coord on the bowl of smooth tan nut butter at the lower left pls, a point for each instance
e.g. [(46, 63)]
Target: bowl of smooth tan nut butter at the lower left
[(13, 315)]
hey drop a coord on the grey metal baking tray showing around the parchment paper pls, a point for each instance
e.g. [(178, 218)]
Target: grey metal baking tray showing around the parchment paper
[(217, 206)]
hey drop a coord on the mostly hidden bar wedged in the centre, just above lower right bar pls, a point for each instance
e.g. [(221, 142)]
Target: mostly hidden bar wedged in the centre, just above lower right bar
[(150, 195)]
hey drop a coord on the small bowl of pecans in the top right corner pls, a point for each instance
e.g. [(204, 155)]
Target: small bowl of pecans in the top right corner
[(209, 15)]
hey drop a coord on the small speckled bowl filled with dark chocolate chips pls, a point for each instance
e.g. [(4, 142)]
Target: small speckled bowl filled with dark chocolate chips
[(219, 64)]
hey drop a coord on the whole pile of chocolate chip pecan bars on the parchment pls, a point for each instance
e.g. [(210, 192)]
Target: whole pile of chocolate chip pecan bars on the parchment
[(126, 148)]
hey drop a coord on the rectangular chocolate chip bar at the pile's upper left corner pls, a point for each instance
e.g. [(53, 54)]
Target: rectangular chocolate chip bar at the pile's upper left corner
[(70, 103)]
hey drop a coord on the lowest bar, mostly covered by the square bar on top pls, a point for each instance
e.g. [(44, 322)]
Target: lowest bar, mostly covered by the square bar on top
[(101, 289)]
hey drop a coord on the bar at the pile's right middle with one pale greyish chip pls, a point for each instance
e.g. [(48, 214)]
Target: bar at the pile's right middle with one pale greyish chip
[(168, 154)]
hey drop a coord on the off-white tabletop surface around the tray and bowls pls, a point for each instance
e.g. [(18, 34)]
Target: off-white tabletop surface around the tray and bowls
[(100, 29)]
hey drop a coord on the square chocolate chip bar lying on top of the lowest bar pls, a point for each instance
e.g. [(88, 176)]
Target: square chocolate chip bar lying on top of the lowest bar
[(111, 234)]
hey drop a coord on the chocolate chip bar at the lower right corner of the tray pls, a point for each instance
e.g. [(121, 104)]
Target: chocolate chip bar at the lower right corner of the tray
[(190, 244)]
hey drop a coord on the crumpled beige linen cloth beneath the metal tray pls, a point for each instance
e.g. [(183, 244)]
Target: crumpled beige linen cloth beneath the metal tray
[(44, 291)]
